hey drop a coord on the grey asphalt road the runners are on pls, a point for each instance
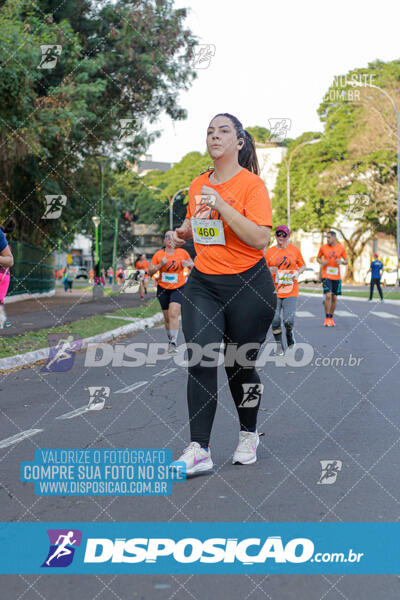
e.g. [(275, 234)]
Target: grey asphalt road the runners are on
[(311, 413)]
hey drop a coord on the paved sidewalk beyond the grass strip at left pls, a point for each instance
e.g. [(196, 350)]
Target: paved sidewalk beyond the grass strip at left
[(62, 308)]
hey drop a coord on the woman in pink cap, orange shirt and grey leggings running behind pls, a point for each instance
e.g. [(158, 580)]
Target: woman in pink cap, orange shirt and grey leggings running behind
[(285, 263)]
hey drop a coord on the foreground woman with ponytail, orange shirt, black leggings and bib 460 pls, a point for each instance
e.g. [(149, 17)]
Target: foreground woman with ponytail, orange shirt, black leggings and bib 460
[(229, 296)]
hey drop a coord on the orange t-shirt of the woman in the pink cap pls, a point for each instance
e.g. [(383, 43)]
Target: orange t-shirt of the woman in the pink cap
[(287, 260)]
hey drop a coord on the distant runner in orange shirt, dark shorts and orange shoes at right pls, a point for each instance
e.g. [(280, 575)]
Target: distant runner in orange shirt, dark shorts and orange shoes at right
[(331, 255)]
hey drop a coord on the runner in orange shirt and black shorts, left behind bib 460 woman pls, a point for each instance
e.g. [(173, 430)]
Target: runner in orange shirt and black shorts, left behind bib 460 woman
[(170, 262)]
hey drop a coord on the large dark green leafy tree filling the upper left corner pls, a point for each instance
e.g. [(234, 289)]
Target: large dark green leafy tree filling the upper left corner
[(118, 61)]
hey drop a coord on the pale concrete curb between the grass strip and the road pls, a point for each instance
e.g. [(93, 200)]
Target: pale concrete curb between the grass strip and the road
[(29, 358)]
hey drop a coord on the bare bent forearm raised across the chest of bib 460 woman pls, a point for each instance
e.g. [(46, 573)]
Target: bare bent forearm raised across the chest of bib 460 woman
[(249, 232)]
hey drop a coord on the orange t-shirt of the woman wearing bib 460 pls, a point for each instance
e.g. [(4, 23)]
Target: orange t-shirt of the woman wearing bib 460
[(247, 193)]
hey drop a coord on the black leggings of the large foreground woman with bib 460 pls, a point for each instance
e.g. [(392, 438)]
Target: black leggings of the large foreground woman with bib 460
[(237, 309)]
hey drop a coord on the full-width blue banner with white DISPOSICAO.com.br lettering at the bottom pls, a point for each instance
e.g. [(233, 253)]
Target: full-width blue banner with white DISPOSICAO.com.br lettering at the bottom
[(302, 548)]
